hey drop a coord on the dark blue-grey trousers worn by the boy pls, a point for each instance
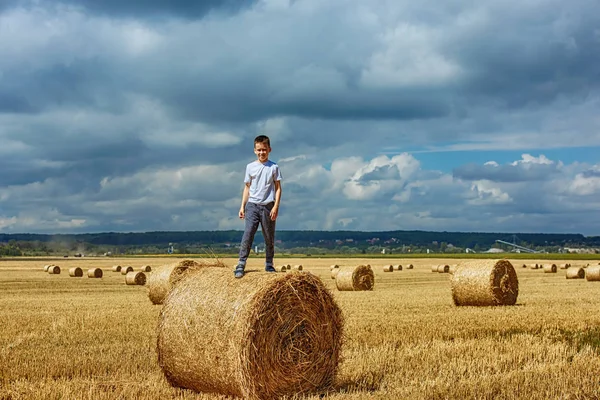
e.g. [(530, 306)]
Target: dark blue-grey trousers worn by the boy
[(258, 214)]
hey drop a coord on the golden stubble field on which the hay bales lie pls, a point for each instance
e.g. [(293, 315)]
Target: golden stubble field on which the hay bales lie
[(80, 338)]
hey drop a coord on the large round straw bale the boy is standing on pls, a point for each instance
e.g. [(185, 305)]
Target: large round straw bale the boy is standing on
[(261, 337)]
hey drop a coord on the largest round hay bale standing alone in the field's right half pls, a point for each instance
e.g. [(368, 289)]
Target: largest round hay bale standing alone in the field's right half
[(485, 283)]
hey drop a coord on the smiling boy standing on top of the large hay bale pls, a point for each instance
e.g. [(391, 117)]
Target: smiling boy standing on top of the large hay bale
[(260, 203)]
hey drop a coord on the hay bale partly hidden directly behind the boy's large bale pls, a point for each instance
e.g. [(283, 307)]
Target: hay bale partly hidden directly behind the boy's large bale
[(165, 276)]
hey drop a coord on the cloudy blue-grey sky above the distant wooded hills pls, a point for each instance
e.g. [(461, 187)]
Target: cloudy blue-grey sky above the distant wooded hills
[(131, 116)]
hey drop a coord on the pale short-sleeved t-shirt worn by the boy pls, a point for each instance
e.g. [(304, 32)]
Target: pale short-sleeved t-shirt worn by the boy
[(262, 178)]
